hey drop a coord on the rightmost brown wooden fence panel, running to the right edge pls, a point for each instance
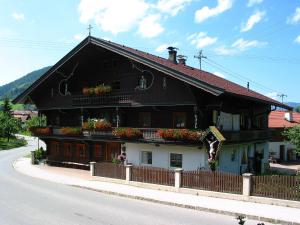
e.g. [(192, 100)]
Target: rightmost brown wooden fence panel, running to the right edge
[(283, 187)]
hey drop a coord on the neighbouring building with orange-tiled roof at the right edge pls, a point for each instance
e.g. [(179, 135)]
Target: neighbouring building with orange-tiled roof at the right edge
[(278, 120)]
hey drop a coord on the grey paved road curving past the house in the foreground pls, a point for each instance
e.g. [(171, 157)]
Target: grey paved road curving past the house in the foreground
[(26, 200)]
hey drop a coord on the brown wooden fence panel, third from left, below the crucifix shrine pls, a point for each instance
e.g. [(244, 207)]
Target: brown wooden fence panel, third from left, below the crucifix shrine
[(213, 181)]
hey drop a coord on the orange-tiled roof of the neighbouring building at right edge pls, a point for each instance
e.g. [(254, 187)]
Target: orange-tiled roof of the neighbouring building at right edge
[(277, 119)]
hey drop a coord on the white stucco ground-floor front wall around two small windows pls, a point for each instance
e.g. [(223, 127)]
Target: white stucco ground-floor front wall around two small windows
[(192, 157)]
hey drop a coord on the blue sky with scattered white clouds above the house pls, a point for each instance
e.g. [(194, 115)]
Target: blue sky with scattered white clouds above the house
[(255, 41)]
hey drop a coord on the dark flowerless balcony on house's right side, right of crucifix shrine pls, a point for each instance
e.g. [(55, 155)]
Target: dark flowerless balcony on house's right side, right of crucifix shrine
[(246, 135)]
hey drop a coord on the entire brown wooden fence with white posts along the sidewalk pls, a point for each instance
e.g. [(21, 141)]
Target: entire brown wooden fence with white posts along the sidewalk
[(282, 187)]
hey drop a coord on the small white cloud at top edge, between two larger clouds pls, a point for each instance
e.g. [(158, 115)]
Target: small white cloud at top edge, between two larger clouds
[(172, 6)]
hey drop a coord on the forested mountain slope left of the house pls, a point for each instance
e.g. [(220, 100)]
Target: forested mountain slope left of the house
[(13, 89)]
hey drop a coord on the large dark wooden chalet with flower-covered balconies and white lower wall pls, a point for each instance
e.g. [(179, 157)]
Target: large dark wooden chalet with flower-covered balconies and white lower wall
[(133, 94)]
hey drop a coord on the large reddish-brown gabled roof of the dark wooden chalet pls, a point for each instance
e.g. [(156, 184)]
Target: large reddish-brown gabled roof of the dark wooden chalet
[(195, 77)]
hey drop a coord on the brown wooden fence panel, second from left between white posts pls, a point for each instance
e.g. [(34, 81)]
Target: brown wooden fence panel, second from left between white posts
[(153, 175)]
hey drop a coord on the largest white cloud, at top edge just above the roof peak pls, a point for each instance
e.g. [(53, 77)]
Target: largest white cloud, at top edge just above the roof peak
[(113, 16)]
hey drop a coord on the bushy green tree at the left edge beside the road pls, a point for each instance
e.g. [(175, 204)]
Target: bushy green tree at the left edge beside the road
[(9, 126)]
